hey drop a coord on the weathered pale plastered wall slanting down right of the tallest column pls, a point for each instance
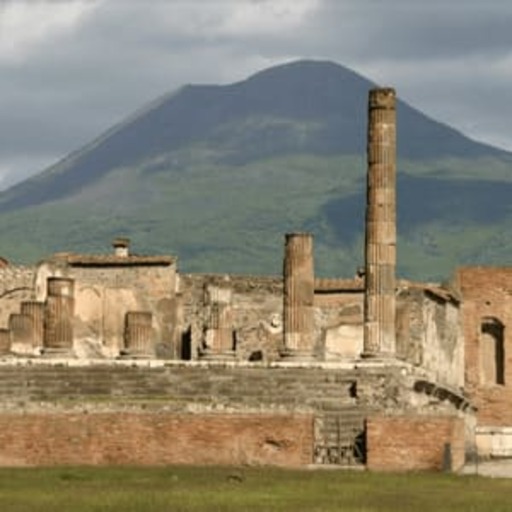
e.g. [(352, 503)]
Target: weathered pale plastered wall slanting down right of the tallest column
[(429, 334)]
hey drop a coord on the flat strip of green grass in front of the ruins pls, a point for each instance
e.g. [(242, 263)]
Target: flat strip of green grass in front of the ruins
[(176, 489)]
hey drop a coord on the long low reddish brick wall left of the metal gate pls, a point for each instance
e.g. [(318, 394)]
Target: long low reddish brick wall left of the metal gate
[(154, 439)]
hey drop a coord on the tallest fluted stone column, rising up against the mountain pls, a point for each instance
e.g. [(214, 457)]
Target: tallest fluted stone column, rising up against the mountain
[(380, 248)]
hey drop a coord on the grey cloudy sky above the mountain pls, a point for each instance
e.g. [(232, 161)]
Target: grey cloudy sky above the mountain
[(69, 70)]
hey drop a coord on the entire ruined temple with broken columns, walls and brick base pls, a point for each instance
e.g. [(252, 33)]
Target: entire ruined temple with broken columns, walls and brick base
[(119, 358)]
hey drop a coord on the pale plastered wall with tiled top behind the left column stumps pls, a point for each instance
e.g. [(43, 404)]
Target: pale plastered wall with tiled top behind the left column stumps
[(104, 294)]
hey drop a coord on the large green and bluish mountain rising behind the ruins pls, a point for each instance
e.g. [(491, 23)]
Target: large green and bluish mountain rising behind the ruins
[(217, 174)]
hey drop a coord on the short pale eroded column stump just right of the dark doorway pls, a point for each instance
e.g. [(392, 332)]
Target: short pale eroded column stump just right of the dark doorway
[(218, 340)]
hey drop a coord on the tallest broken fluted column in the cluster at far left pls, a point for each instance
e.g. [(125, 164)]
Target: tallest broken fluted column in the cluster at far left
[(58, 316)]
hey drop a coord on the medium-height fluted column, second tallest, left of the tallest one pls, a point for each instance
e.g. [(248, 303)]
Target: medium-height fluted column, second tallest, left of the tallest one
[(299, 292)]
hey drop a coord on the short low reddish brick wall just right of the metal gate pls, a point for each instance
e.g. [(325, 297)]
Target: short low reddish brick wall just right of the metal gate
[(404, 443)]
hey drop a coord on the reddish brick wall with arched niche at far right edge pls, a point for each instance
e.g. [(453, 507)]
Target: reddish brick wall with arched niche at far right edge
[(487, 299)]
